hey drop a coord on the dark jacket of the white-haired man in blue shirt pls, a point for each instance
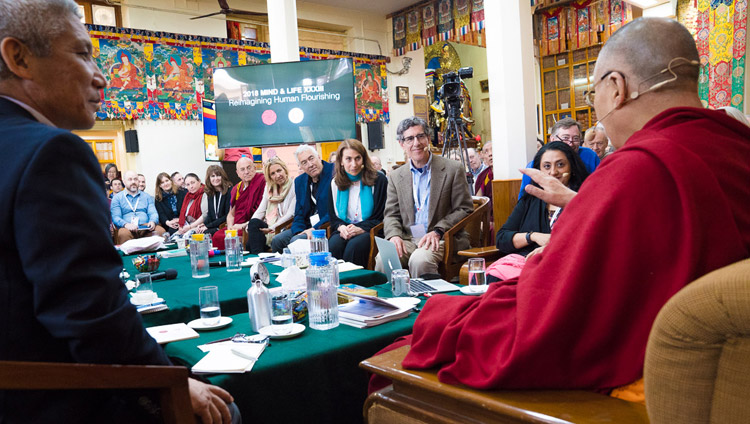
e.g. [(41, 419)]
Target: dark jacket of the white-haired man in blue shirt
[(304, 209)]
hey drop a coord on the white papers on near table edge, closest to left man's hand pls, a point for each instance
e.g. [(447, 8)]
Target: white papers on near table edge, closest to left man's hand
[(229, 357)]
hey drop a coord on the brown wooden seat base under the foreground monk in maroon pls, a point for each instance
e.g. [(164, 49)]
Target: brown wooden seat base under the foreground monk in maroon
[(418, 397)]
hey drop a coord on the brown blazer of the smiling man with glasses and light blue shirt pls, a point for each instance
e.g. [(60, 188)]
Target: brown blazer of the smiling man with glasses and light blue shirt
[(450, 200)]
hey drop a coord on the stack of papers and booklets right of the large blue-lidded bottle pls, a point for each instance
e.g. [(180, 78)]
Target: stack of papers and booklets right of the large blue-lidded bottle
[(367, 311)]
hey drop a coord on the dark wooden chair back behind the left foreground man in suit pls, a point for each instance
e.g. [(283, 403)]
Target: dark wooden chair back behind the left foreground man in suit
[(171, 382)]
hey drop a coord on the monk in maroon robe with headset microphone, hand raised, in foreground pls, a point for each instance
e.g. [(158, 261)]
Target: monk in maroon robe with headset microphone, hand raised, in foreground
[(669, 206)]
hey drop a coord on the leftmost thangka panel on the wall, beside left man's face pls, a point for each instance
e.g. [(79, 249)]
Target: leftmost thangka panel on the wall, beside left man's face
[(124, 66)]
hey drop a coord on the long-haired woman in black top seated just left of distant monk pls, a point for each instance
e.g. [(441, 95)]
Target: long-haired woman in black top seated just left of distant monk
[(215, 200)]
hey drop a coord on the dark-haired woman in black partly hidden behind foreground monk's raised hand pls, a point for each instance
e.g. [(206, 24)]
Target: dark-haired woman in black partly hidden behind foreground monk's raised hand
[(531, 221)]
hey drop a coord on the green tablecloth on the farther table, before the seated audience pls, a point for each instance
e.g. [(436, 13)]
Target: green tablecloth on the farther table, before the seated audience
[(181, 294)]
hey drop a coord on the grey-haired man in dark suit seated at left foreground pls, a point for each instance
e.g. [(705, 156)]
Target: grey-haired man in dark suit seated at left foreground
[(60, 294)]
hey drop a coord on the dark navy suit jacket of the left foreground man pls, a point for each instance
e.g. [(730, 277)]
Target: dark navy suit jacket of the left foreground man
[(61, 299)]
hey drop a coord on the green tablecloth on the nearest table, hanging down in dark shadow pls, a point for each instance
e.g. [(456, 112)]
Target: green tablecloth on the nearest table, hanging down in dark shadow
[(313, 378)]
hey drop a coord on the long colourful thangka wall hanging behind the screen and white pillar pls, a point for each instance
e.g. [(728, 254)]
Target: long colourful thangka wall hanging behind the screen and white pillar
[(159, 75)]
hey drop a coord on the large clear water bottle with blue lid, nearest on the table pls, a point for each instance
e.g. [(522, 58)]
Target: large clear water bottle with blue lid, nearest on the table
[(322, 296)]
